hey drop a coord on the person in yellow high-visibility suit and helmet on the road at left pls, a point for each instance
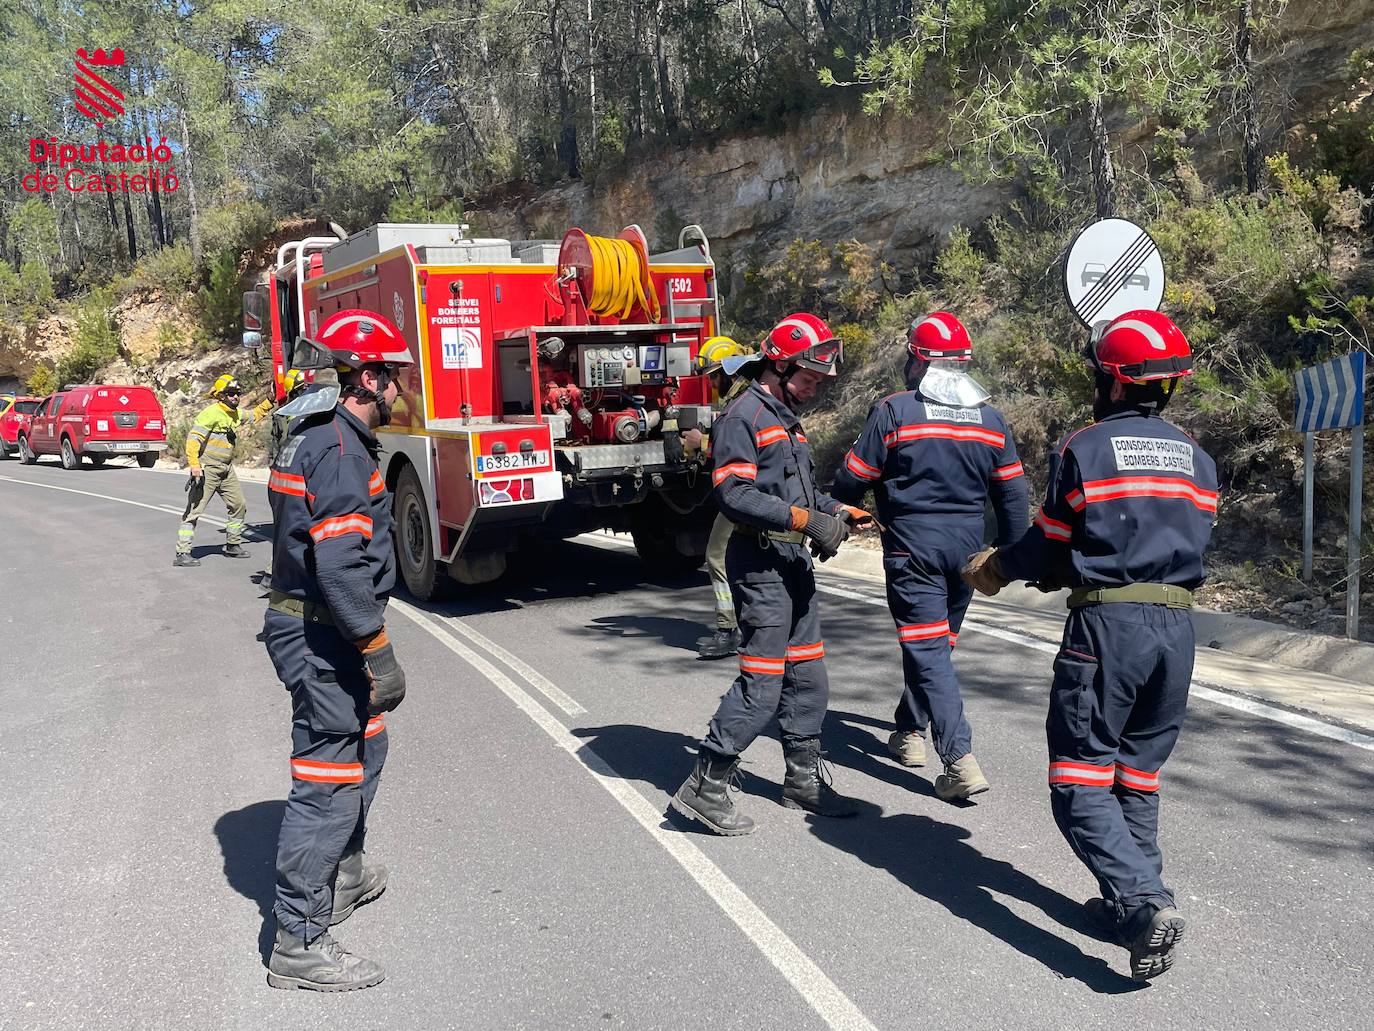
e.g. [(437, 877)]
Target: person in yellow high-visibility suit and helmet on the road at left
[(210, 452)]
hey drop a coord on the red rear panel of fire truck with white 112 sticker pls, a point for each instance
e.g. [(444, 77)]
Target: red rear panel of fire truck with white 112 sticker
[(461, 362)]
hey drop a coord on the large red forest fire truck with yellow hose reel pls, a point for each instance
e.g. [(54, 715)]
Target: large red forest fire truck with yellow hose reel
[(548, 380)]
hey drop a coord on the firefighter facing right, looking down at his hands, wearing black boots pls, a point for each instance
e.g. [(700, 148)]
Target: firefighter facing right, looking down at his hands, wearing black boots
[(766, 486)]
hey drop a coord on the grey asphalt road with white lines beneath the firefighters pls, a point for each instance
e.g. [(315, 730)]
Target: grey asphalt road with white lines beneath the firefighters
[(535, 880)]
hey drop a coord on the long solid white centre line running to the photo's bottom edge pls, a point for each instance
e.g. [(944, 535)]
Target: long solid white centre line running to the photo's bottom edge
[(800, 970)]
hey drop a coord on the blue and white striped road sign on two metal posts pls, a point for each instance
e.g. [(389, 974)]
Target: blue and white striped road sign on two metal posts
[(1332, 397)]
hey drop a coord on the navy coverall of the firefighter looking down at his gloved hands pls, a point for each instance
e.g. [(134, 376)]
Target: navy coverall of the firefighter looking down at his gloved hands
[(762, 471)]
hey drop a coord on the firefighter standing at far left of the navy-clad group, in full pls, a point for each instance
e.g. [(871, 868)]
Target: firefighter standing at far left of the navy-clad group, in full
[(333, 568)]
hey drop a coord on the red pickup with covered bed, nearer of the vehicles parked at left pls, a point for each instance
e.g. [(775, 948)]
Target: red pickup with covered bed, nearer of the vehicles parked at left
[(95, 423)]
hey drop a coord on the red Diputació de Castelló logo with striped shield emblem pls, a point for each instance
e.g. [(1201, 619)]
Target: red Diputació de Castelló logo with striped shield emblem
[(86, 167)]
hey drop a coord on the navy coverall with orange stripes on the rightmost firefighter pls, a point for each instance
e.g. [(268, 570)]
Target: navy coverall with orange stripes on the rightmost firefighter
[(1131, 500)]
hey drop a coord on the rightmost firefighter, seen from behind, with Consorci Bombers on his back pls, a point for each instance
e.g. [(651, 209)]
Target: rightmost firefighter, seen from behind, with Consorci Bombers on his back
[(1127, 516)]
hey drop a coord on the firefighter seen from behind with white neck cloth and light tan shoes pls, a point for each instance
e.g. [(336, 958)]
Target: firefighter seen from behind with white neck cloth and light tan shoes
[(934, 456)]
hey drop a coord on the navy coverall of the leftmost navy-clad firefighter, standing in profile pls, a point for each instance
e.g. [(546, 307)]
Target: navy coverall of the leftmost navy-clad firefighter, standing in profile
[(333, 551)]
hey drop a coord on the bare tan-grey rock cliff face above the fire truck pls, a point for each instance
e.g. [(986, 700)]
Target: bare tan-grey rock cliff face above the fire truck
[(837, 175)]
